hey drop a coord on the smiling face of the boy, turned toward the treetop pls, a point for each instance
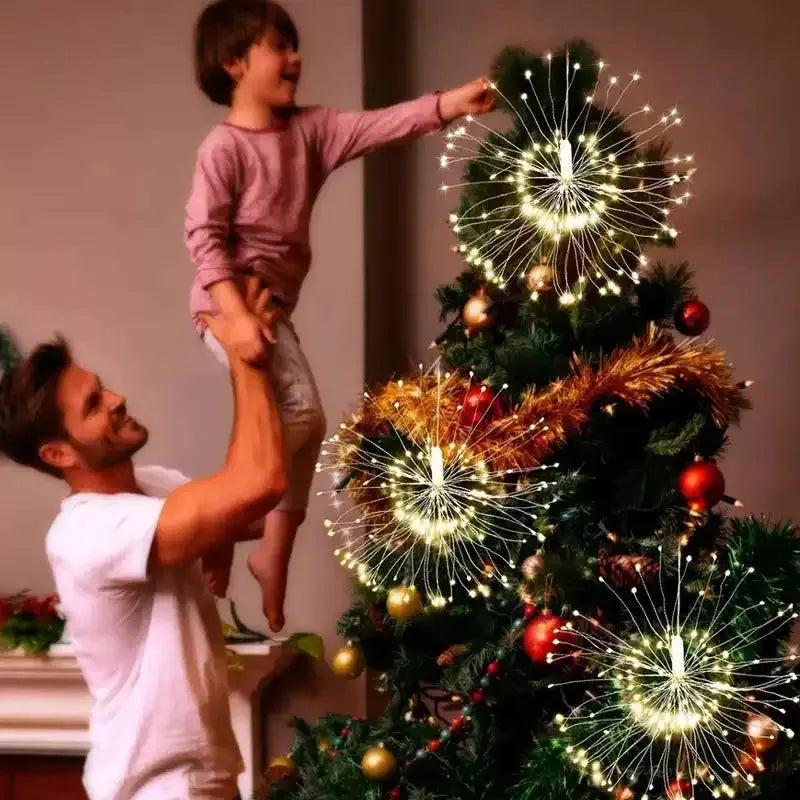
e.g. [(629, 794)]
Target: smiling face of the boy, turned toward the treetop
[(272, 70)]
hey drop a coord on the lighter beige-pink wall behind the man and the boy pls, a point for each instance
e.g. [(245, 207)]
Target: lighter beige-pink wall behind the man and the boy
[(100, 124)]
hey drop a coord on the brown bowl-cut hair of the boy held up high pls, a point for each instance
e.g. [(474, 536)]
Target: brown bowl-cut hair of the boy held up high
[(225, 31)]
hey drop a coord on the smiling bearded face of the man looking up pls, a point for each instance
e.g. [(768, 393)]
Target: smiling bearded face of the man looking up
[(101, 433)]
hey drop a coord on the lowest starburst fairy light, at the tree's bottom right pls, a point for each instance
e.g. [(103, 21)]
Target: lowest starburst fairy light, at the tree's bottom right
[(668, 704)]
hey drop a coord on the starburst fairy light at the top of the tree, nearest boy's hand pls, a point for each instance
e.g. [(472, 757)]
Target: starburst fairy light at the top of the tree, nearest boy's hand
[(570, 186)]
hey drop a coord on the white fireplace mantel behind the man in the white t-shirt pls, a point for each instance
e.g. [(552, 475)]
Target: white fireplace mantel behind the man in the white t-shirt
[(45, 705)]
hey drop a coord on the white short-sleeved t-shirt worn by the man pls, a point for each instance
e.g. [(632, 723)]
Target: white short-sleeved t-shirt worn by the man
[(150, 649)]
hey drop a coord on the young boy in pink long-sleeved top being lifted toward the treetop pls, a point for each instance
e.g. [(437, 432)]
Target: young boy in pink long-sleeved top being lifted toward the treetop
[(257, 176)]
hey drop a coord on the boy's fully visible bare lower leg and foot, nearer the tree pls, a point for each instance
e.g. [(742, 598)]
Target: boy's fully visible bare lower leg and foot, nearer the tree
[(269, 565)]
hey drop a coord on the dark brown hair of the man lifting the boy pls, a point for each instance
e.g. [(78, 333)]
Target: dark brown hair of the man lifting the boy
[(29, 412)]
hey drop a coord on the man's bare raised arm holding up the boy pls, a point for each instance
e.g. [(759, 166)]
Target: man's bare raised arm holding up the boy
[(205, 513)]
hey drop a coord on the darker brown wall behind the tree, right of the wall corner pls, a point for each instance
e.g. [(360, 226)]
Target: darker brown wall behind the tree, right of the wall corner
[(731, 68)]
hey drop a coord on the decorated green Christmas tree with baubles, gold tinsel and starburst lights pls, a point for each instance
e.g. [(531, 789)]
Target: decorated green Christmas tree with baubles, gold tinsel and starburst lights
[(549, 585)]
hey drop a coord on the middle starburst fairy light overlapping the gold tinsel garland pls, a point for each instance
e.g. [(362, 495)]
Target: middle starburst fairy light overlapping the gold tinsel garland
[(428, 507)]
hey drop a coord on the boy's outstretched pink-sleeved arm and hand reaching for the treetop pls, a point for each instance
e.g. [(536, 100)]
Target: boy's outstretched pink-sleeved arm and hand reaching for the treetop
[(346, 135)]
